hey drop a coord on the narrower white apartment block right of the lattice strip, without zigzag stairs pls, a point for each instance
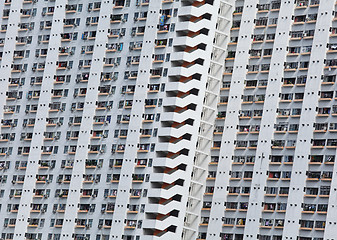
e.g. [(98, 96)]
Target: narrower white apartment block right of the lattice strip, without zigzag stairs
[(272, 174)]
